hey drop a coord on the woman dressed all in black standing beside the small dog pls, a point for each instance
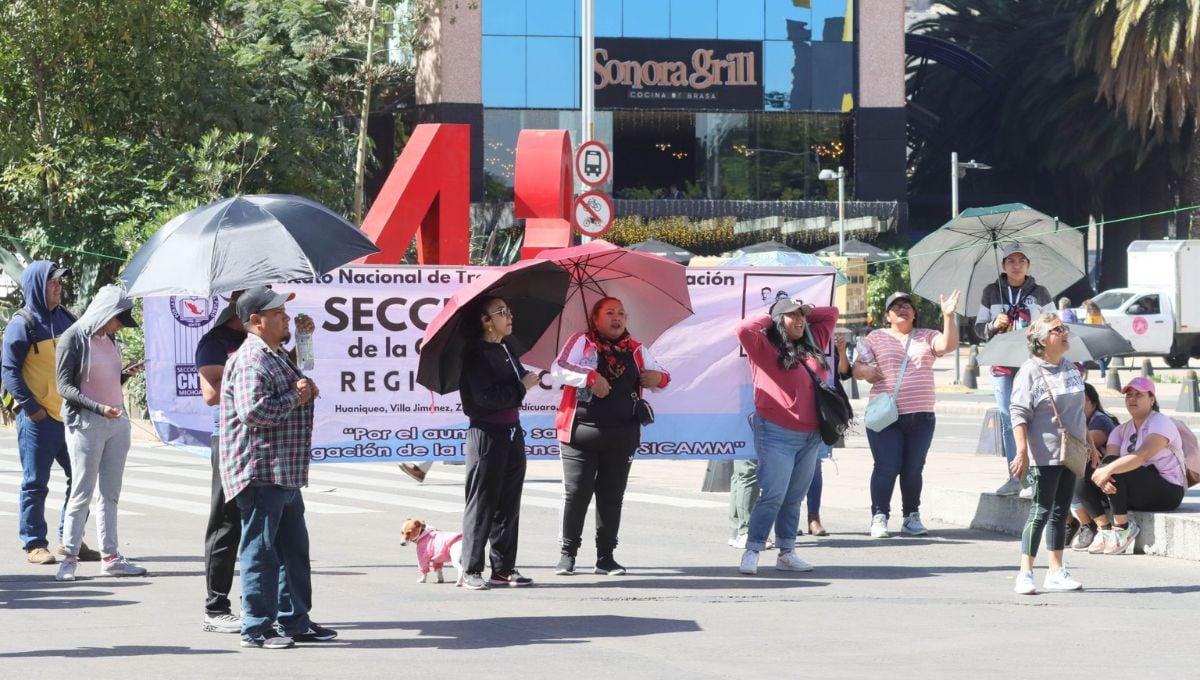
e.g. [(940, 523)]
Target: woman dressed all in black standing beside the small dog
[(493, 387)]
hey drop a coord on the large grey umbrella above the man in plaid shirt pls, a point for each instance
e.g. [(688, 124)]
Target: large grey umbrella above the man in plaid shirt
[(244, 242)]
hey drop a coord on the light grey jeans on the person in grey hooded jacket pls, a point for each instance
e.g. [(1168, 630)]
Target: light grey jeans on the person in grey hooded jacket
[(99, 448)]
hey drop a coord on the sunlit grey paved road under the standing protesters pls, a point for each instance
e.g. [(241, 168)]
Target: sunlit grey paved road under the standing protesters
[(937, 607)]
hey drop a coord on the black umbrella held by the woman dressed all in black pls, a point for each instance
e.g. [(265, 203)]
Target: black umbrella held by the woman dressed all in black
[(533, 290)]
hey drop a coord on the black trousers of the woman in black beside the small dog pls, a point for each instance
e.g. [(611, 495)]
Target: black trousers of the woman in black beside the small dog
[(496, 466)]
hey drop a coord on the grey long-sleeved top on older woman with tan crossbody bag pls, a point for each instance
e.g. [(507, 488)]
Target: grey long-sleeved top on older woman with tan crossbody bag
[(1031, 407)]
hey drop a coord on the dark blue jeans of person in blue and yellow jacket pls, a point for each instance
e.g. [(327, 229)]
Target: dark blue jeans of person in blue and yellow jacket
[(40, 446)]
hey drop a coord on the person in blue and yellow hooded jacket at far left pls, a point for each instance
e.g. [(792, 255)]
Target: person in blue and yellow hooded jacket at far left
[(28, 372)]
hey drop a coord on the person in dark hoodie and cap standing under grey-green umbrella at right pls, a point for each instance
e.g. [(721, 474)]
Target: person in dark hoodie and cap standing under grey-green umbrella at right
[(1011, 305)]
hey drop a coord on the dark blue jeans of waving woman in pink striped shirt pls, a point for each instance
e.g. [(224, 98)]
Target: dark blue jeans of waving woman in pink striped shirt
[(899, 452)]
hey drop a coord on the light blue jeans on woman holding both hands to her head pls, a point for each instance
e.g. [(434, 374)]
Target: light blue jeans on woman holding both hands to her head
[(787, 460)]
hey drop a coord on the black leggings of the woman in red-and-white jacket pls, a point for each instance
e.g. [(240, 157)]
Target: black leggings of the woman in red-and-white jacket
[(596, 461)]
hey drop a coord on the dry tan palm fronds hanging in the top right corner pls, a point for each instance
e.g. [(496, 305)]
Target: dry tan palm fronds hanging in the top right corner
[(1148, 59)]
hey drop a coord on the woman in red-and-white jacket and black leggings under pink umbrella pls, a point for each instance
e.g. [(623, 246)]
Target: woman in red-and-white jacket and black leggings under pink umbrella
[(603, 374)]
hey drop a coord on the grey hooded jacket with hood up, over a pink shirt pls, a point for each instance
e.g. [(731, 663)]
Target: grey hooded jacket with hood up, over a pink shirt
[(74, 354)]
